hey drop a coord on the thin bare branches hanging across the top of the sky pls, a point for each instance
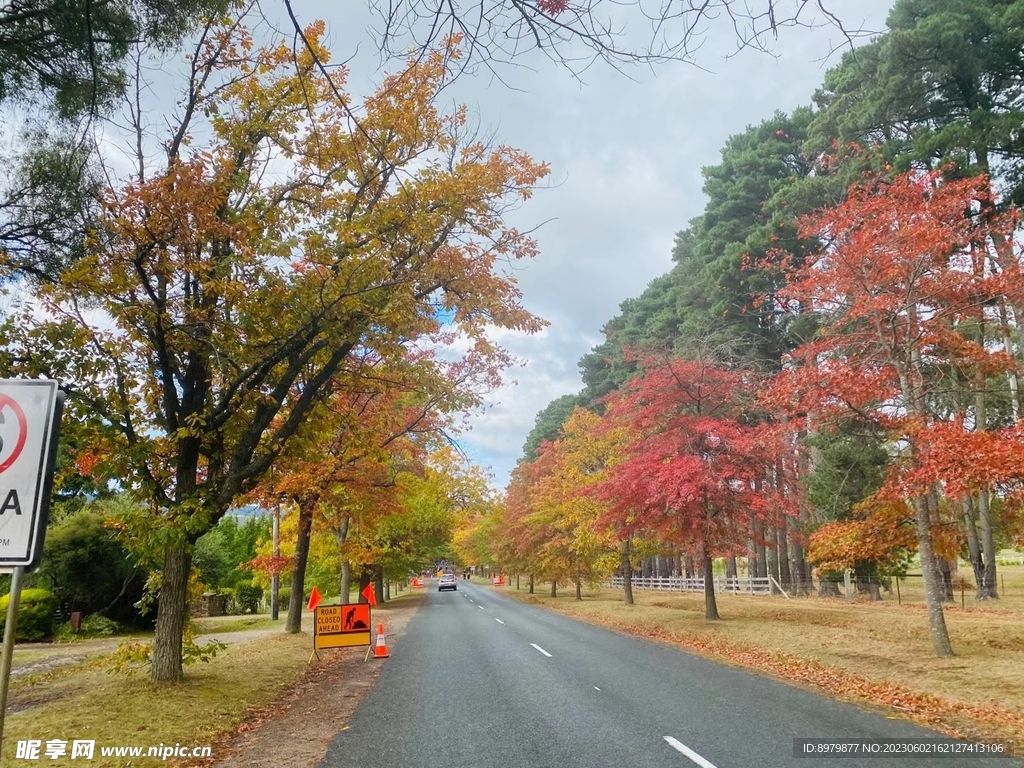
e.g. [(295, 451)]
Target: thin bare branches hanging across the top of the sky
[(578, 33)]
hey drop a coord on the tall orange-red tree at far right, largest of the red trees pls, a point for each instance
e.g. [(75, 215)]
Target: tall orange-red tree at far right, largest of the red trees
[(900, 279)]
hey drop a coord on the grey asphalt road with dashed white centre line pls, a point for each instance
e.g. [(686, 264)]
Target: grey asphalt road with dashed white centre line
[(483, 681)]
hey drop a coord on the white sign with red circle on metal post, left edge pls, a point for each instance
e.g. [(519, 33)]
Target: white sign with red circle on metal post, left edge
[(30, 420)]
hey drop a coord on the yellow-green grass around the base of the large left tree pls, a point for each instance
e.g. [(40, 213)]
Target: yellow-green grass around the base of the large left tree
[(90, 703)]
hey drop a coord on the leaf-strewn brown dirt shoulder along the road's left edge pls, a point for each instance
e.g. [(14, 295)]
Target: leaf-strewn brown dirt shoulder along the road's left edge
[(296, 730)]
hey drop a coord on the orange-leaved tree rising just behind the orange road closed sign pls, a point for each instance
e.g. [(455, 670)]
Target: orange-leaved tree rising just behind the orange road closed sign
[(385, 414)]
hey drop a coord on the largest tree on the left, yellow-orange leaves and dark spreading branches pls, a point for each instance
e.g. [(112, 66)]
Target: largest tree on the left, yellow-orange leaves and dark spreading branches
[(227, 284)]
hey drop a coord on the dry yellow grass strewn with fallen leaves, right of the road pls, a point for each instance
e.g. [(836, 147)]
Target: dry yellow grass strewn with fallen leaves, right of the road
[(877, 654)]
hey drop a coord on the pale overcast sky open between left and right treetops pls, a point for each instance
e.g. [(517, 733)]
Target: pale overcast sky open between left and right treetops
[(626, 156)]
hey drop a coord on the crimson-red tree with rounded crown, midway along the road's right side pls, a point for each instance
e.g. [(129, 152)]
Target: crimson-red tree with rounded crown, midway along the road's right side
[(693, 476)]
